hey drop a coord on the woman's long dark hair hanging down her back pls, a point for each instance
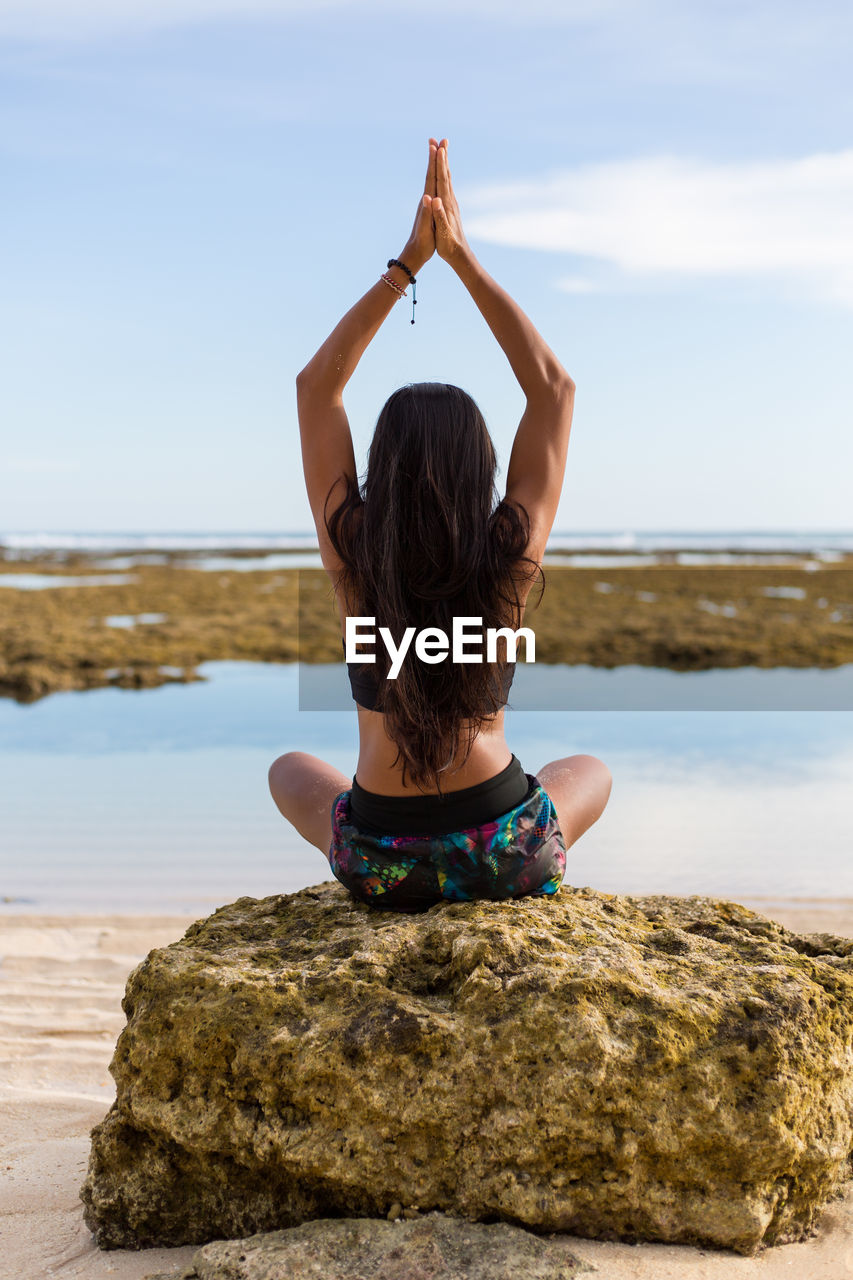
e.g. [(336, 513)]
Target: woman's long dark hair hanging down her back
[(423, 540)]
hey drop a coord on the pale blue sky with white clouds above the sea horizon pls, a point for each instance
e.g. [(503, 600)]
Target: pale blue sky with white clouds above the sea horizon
[(197, 191)]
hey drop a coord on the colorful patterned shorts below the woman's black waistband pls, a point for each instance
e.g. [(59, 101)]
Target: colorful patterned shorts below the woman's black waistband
[(517, 856)]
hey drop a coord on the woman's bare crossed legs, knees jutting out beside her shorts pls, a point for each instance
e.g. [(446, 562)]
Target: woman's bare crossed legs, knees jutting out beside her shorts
[(304, 788)]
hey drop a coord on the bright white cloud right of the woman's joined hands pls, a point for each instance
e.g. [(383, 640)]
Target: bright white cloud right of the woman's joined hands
[(667, 217)]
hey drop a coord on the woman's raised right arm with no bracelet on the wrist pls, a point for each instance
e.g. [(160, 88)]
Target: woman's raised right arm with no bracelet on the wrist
[(539, 459)]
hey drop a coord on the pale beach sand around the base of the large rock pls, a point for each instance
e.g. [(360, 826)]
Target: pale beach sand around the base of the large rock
[(62, 981)]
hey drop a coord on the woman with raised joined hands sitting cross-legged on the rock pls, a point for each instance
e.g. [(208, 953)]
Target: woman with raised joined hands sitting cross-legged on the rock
[(440, 808)]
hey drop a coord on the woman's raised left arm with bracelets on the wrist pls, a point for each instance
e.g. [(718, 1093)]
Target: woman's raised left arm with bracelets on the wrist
[(329, 456)]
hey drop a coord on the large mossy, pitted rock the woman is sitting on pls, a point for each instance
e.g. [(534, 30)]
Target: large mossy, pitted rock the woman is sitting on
[(665, 1069)]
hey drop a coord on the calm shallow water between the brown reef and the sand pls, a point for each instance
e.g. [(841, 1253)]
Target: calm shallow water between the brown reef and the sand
[(157, 801)]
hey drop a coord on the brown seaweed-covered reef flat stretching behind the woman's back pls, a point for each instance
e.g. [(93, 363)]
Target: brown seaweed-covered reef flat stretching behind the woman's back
[(157, 619)]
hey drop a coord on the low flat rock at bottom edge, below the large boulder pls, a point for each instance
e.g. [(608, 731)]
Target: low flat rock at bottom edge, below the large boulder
[(432, 1249)]
